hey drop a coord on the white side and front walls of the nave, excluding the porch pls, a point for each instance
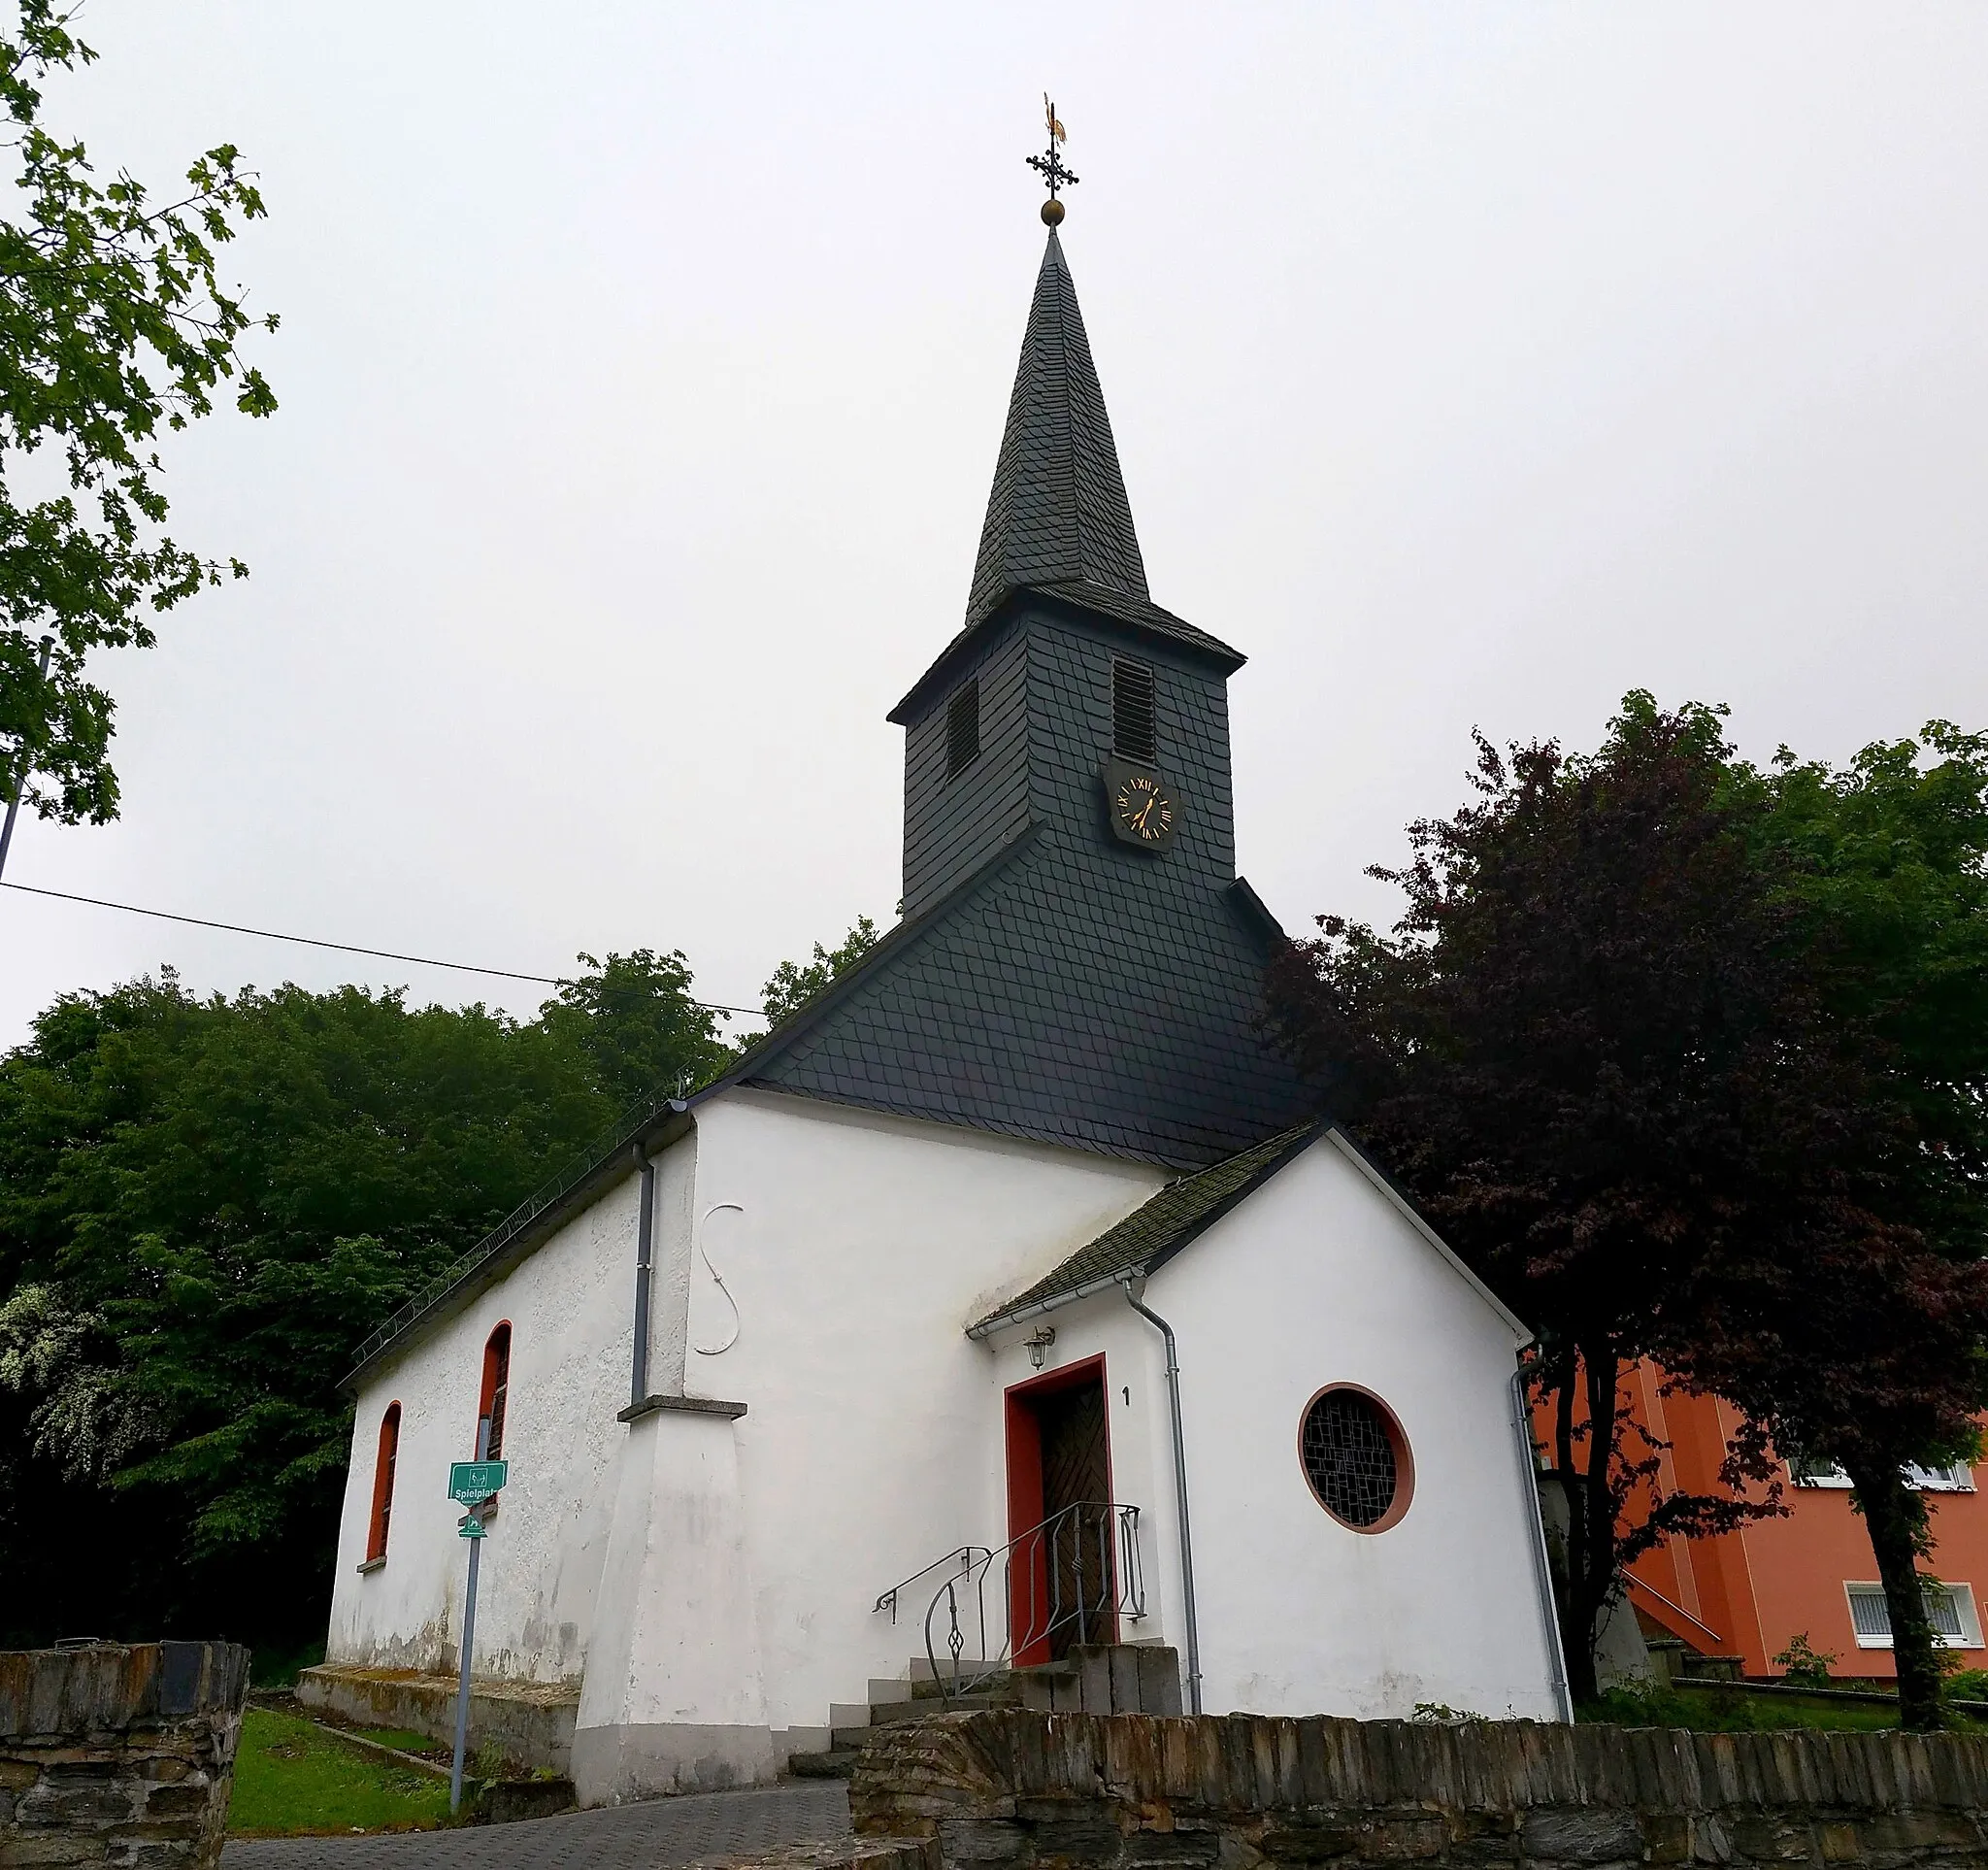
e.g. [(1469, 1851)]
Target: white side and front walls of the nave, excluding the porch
[(854, 1252)]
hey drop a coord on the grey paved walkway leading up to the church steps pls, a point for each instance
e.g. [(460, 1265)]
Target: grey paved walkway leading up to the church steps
[(655, 1835)]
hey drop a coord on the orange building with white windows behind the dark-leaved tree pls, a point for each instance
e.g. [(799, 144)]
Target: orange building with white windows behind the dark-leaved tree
[(1812, 1573)]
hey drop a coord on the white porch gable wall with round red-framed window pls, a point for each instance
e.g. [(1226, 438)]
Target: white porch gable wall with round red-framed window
[(1319, 1278)]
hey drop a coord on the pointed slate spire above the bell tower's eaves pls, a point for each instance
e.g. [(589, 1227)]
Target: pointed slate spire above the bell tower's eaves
[(1059, 512)]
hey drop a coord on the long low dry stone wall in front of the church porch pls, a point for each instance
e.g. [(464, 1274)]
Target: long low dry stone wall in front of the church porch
[(1015, 1789)]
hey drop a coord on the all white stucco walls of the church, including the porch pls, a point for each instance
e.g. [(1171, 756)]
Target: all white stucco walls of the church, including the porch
[(854, 1250)]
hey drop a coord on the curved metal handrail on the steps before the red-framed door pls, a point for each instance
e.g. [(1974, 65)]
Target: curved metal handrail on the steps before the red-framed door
[(1053, 1559)]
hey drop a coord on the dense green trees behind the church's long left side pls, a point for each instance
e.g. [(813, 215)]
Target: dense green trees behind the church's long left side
[(206, 1205)]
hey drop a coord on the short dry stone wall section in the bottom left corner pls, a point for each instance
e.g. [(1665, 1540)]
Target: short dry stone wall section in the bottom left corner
[(118, 1754)]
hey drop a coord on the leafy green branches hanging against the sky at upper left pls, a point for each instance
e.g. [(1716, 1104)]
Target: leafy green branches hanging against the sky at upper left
[(114, 325)]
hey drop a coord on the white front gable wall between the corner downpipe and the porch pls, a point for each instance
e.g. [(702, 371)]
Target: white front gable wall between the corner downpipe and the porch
[(874, 1439)]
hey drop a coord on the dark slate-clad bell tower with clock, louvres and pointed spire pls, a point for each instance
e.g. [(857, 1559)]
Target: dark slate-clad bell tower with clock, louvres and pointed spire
[(1069, 695)]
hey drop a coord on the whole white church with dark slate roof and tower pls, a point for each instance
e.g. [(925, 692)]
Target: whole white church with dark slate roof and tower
[(1009, 1298)]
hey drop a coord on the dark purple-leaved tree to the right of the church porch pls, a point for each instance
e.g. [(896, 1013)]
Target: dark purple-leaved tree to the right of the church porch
[(1617, 1051)]
